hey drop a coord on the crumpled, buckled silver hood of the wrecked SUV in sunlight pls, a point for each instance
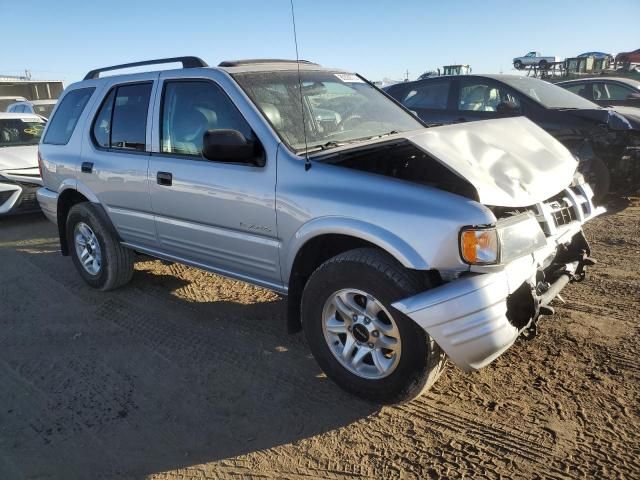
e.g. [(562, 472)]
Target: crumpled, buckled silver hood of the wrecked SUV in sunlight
[(511, 162)]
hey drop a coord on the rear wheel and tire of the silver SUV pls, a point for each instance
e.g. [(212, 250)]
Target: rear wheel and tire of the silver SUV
[(97, 254)]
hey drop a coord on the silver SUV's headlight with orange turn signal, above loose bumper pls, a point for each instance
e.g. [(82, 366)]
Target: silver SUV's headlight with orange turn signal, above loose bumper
[(511, 238)]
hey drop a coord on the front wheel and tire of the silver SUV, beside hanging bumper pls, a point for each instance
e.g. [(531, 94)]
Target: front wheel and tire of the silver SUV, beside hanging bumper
[(363, 344)]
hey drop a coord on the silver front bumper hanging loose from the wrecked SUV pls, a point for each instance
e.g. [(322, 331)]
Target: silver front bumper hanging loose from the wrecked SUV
[(467, 317)]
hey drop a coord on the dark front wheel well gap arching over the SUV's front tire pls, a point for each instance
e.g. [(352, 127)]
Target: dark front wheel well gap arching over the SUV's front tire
[(314, 253)]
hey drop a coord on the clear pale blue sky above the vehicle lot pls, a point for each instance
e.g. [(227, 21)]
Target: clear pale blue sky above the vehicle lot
[(63, 39)]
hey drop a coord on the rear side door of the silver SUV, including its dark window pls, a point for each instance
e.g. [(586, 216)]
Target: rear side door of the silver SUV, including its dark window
[(115, 159)]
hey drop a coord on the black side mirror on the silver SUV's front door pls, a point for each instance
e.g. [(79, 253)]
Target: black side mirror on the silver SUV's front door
[(231, 146)]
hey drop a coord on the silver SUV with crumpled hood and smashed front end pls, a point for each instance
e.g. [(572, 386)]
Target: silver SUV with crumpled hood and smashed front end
[(397, 245)]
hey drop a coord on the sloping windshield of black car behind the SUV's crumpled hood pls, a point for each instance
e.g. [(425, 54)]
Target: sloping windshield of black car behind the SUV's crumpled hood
[(549, 95)]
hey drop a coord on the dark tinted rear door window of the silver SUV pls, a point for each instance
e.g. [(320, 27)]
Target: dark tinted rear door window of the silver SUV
[(121, 121)]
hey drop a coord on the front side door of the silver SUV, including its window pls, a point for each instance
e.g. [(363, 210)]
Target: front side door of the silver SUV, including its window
[(217, 215)]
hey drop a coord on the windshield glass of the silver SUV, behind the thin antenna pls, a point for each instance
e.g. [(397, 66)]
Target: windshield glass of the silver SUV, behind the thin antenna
[(339, 108)]
